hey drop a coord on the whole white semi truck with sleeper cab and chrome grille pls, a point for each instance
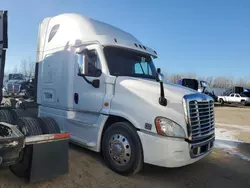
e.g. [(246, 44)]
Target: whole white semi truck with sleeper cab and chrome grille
[(100, 84)]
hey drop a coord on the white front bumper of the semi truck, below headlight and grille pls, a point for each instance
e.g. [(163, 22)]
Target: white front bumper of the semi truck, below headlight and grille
[(172, 152)]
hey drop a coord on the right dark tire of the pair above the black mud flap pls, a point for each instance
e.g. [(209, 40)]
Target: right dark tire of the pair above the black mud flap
[(49, 125)]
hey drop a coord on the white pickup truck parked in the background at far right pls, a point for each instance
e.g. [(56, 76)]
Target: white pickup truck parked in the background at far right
[(235, 98)]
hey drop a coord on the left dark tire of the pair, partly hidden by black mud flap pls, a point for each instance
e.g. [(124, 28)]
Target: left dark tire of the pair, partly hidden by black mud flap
[(29, 127)]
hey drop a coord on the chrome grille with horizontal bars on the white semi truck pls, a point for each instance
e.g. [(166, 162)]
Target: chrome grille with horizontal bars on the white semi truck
[(201, 118)]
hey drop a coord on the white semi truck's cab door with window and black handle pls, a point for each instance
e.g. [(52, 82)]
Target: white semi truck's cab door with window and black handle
[(89, 82)]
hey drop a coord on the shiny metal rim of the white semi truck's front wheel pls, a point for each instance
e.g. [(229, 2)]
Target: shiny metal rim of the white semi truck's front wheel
[(119, 149)]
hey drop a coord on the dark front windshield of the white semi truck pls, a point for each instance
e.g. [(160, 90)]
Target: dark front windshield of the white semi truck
[(123, 62)]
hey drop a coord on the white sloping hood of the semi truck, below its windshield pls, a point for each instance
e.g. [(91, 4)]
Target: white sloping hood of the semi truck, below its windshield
[(137, 100)]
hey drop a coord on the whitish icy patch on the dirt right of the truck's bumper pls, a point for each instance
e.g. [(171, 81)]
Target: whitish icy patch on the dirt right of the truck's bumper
[(228, 141)]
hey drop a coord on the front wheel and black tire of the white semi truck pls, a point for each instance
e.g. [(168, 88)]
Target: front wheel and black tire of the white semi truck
[(128, 141)]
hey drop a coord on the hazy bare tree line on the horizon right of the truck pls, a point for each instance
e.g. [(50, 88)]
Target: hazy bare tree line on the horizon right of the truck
[(213, 81)]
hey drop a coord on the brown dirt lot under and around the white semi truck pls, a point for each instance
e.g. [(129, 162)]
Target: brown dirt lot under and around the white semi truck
[(227, 166)]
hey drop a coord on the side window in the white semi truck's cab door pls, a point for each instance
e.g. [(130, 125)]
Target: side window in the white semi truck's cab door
[(89, 65)]
